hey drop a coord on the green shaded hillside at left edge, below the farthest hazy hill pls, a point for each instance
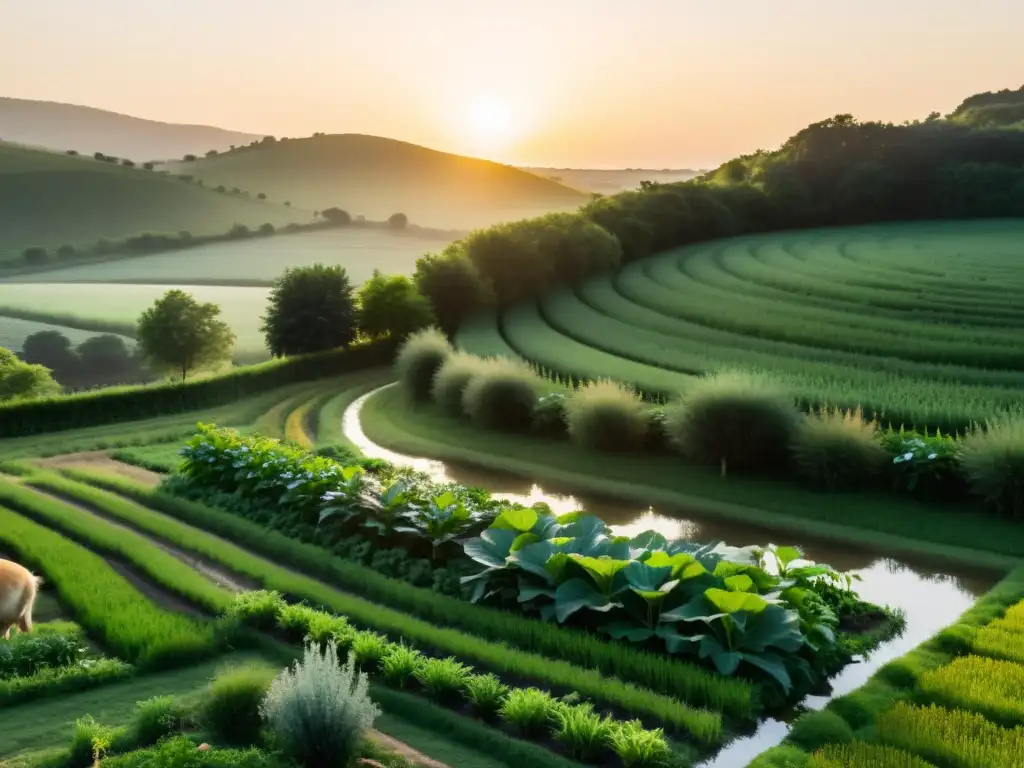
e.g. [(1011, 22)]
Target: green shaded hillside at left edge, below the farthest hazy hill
[(49, 200)]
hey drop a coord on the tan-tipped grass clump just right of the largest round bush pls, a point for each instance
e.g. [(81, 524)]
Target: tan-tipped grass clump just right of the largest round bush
[(838, 450)]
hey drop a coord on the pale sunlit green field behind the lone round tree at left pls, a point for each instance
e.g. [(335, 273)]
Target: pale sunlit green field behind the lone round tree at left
[(241, 308)]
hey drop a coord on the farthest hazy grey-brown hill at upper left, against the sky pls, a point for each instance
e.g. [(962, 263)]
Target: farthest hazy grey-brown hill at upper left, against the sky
[(60, 126)]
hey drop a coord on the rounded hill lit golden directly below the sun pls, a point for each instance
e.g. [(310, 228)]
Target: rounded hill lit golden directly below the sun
[(377, 177)]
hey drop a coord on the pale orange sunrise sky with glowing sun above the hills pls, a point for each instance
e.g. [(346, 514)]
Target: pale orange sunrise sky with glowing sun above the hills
[(581, 83)]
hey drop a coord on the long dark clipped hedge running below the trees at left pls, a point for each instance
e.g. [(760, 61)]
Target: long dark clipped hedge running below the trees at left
[(127, 404)]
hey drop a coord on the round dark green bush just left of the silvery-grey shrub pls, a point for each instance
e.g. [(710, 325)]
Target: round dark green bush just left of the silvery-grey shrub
[(232, 704)]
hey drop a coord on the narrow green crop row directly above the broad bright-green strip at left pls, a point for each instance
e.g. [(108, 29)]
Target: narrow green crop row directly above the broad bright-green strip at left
[(103, 537)]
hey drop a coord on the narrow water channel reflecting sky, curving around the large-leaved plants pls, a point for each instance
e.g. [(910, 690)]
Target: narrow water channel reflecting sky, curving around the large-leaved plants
[(931, 596)]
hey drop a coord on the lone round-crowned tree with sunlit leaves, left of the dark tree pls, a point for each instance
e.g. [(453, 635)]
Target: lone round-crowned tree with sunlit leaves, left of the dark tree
[(181, 334)]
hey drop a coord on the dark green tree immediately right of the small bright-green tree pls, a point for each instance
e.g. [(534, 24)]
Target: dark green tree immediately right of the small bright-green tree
[(454, 287)]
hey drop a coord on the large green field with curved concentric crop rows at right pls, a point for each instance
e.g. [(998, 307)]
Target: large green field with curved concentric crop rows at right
[(917, 323)]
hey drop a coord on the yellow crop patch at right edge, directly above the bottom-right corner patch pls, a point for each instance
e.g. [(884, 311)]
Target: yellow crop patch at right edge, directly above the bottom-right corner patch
[(985, 686)]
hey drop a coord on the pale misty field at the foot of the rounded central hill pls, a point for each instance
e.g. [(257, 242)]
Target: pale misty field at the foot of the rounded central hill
[(359, 250)]
